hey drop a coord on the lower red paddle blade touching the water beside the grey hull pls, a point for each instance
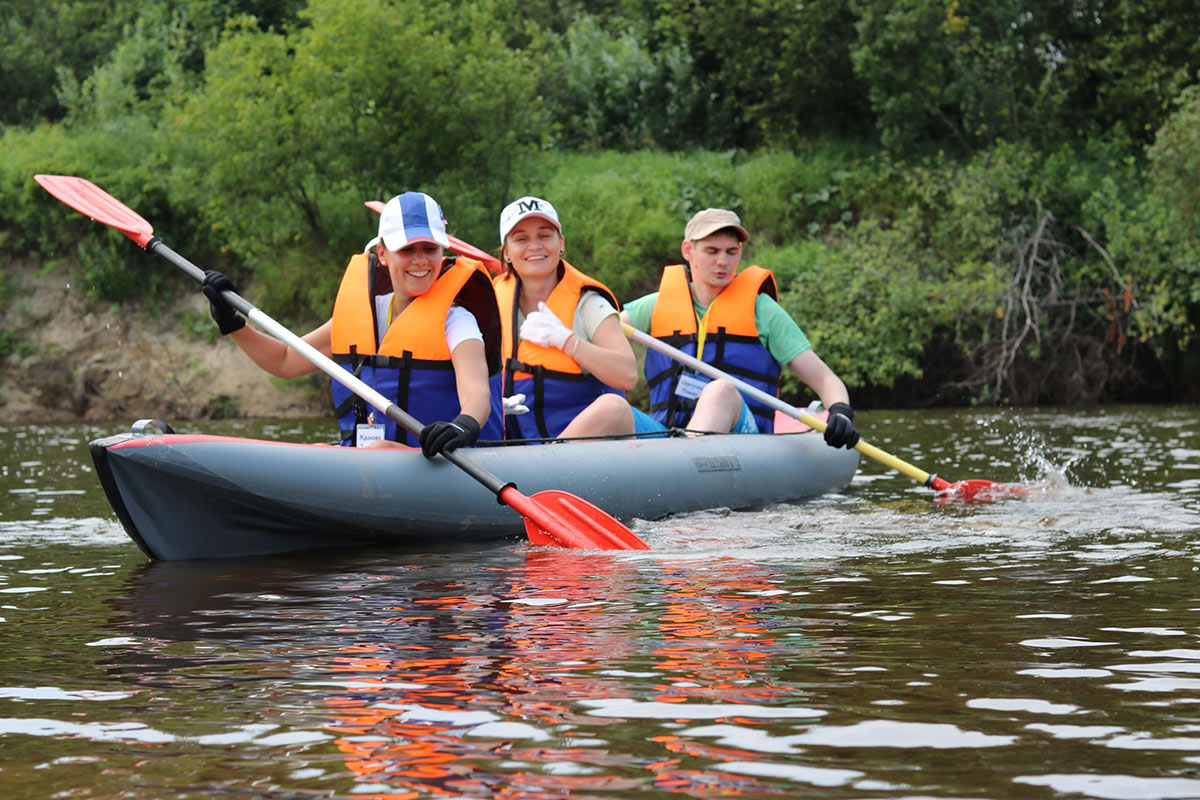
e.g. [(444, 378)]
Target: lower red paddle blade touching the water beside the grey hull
[(563, 520)]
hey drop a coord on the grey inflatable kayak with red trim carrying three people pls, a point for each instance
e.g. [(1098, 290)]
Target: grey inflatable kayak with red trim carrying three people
[(185, 496)]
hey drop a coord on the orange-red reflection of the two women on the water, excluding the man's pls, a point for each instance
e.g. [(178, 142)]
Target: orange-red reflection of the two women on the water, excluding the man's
[(389, 729)]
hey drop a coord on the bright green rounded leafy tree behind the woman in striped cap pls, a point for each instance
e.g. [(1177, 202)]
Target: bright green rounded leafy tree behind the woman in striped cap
[(301, 128)]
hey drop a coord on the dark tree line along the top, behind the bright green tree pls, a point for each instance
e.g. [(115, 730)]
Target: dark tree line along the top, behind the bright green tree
[(926, 75)]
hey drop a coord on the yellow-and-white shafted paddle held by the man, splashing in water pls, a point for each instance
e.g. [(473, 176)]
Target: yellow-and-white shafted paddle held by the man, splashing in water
[(970, 490)]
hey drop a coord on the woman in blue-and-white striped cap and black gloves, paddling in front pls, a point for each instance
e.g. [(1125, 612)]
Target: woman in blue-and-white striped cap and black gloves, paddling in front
[(392, 297)]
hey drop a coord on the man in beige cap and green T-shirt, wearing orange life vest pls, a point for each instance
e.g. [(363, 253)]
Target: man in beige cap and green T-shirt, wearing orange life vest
[(733, 320)]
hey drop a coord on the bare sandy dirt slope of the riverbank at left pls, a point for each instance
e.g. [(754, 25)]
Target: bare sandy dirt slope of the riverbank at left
[(69, 359)]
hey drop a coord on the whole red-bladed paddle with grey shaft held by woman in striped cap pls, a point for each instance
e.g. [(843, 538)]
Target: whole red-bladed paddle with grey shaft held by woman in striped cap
[(551, 518)]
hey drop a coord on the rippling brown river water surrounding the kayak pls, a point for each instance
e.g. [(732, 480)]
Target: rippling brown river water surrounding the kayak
[(871, 645)]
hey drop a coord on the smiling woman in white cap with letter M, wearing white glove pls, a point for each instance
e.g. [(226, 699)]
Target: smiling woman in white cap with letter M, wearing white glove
[(567, 363)]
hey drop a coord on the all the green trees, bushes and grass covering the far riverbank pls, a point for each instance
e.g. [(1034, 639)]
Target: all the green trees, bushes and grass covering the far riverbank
[(964, 203)]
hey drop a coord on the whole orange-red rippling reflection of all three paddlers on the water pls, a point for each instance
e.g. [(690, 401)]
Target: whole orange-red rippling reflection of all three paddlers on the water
[(437, 719)]
